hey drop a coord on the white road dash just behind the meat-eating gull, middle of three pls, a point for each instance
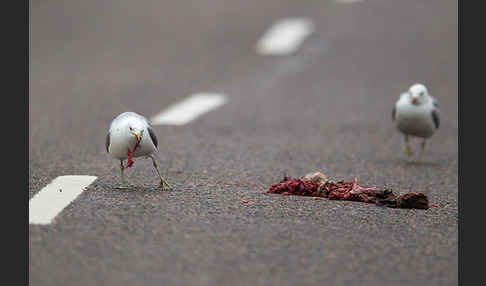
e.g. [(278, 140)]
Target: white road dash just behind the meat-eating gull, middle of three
[(189, 109)]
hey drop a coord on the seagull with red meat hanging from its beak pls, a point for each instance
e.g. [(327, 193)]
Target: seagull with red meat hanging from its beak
[(126, 135)]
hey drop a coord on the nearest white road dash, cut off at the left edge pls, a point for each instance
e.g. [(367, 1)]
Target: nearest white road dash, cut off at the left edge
[(53, 198)]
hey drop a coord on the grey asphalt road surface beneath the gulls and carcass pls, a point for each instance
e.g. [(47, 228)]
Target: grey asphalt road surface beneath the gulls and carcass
[(326, 108)]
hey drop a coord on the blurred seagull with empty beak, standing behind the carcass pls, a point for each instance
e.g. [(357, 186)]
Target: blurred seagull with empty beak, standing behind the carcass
[(416, 114)]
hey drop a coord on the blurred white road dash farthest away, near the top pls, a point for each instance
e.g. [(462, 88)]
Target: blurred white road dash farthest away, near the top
[(285, 36)]
